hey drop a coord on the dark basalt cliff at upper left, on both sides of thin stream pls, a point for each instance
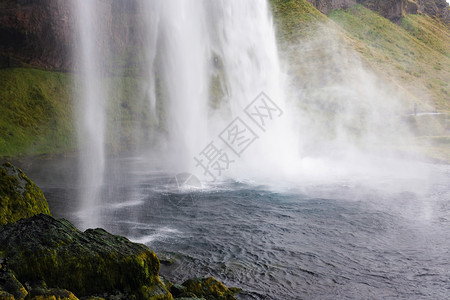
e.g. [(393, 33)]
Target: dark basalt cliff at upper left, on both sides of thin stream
[(41, 33)]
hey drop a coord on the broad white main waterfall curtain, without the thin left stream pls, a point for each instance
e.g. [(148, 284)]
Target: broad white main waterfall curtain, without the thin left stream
[(213, 59)]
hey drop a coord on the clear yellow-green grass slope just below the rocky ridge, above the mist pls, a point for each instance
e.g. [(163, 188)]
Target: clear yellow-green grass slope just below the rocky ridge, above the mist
[(416, 58)]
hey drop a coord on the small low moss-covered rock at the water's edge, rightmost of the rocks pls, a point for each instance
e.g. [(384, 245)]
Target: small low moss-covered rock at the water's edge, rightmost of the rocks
[(208, 288)]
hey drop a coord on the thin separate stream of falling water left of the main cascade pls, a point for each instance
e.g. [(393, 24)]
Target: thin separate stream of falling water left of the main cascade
[(90, 110)]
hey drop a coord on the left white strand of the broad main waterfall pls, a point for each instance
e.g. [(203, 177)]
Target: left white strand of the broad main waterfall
[(184, 61)]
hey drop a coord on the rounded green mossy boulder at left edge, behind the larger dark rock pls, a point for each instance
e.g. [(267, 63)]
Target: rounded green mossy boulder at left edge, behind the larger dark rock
[(19, 196)]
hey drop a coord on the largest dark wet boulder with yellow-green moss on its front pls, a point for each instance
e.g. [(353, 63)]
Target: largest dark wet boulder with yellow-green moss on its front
[(94, 262)]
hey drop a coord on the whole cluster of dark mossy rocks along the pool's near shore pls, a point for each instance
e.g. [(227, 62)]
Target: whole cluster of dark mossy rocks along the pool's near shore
[(44, 258)]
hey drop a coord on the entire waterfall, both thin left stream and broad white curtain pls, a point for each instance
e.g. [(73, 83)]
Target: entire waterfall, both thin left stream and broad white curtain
[(206, 62)]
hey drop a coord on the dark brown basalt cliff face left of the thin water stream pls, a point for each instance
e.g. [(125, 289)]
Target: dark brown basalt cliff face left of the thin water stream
[(35, 32)]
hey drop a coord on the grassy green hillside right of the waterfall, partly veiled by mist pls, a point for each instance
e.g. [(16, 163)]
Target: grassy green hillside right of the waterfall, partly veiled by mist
[(412, 57)]
